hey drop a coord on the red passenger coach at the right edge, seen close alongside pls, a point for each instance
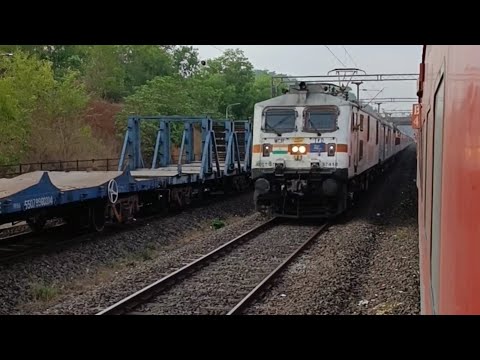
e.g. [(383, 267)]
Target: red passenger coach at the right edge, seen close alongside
[(447, 125)]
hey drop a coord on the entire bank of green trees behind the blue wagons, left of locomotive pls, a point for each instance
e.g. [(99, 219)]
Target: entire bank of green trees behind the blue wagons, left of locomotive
[(44, 91)]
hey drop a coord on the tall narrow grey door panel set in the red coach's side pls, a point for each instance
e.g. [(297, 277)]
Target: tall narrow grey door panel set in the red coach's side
[(437, 192)]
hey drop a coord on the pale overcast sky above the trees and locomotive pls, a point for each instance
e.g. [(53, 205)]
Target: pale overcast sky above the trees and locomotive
[(318, 60)]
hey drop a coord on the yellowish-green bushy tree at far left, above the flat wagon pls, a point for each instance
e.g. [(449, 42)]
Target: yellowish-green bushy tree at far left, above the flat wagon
[(35, 106)]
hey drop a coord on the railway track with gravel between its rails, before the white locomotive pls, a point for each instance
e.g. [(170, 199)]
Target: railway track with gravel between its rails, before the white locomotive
[(226, 280)]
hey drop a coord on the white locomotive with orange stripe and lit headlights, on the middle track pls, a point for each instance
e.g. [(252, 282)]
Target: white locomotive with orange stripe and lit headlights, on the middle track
[(314, 147)]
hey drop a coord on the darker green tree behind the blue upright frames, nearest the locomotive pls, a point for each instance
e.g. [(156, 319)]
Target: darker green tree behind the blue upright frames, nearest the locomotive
[(197, 91)]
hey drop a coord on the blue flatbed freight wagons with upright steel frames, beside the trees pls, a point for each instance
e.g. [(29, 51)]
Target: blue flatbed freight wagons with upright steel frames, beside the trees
[(39, 195)]
